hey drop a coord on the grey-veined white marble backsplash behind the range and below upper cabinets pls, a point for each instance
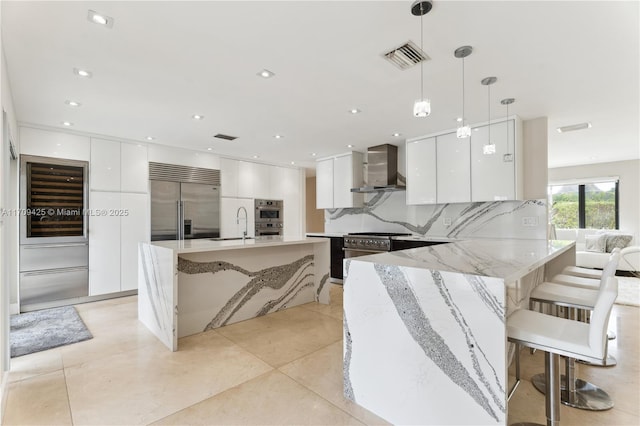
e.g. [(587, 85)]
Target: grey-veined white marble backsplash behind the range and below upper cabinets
[(388, 212)]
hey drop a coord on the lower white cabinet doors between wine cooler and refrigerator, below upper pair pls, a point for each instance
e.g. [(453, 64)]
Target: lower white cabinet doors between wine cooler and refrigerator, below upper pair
[(118, 221)]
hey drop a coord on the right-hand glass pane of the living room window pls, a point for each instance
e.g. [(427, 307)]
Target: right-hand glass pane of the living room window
[(600, 205)]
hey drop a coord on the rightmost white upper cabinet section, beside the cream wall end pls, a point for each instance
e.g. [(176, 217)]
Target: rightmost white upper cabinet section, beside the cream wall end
[(493, 176)]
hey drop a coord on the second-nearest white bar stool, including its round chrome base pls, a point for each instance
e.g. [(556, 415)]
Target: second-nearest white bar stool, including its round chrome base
[(580, 393)]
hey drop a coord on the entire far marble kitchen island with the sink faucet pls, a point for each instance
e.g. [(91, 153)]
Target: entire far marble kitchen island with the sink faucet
[(189, 286)]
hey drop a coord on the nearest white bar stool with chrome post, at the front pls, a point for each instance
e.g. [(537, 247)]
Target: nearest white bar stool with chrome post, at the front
[(563, 337)]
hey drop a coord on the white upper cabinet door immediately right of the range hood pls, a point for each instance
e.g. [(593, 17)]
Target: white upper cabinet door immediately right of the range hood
[(421, 171)]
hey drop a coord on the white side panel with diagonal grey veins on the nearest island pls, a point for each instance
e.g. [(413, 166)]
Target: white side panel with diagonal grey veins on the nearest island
[(419, 343)]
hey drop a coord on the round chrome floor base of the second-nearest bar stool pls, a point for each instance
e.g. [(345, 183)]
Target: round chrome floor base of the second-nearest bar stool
[(586, 397)]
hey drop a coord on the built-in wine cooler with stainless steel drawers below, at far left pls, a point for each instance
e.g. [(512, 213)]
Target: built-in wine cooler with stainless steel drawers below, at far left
[(54, 249)]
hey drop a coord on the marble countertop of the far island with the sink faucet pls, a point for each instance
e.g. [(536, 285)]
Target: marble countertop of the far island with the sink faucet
[(204, 244)]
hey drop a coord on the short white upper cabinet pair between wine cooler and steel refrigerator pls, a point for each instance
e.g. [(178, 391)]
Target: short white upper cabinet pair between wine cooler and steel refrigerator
[(118, 166)]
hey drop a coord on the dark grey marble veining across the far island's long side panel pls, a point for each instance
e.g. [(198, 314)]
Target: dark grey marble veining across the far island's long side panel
[(275, 277)]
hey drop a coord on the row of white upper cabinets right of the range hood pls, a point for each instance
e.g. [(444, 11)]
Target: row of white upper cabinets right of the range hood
[(444, 169)]
